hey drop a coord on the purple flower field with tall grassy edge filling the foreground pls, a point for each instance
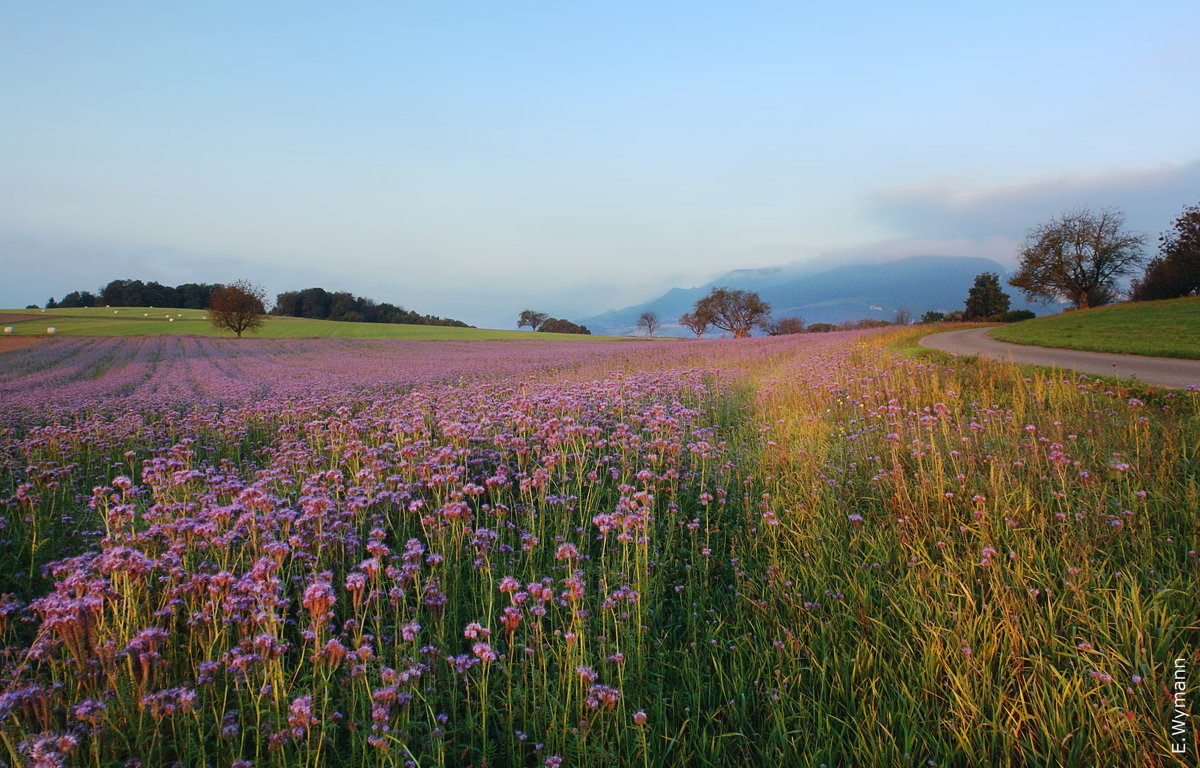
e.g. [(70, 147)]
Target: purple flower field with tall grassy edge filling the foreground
[(802, 551)]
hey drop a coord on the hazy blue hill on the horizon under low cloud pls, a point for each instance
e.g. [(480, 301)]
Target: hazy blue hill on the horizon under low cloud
[(832, 296)]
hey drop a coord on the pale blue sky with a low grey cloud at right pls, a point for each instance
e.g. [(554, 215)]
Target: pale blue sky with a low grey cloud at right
[(476, 159)]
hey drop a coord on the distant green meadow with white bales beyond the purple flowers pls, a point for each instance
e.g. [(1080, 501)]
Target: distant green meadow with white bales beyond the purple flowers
[(159, 322)]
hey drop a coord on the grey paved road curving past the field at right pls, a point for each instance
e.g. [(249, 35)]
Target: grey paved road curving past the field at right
[(1168, 373)]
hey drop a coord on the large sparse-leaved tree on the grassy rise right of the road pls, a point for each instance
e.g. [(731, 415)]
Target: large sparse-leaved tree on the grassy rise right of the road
[(1076, 255)]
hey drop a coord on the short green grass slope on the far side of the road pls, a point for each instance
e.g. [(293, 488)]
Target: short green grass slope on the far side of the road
[(1167, 329)]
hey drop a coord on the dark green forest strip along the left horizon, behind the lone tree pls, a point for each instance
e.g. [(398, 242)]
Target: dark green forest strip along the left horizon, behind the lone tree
[(311, 303)]
